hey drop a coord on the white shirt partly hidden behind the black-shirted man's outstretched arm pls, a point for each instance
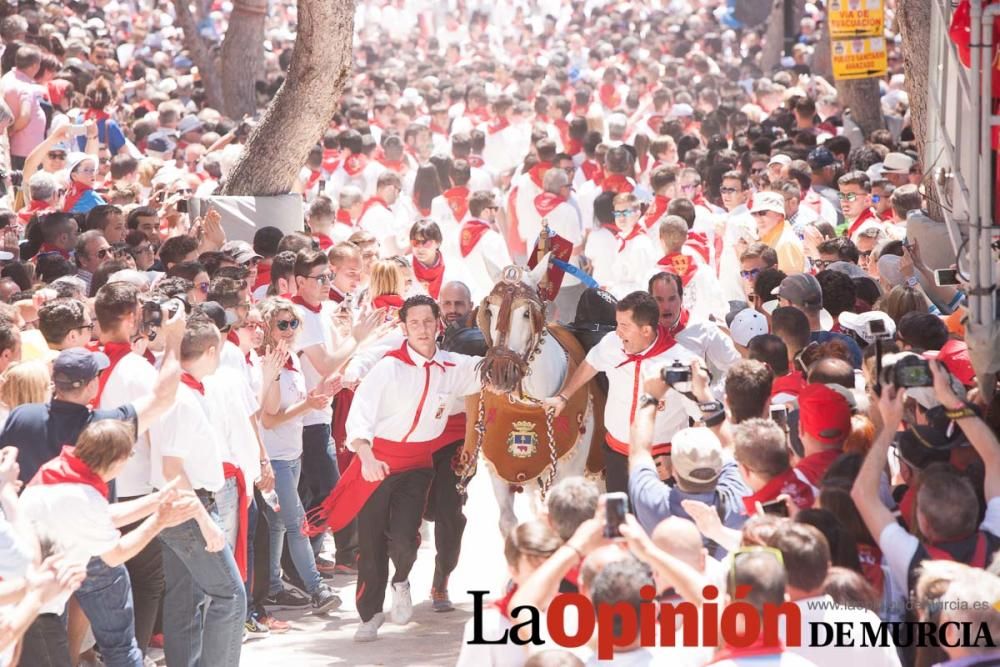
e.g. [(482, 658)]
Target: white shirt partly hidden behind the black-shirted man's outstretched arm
[(133, 377)]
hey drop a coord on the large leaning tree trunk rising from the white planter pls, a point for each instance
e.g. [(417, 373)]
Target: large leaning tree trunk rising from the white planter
[(303, 106)]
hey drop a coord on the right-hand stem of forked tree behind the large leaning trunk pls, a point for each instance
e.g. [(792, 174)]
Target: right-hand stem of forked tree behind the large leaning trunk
[(243, 57)]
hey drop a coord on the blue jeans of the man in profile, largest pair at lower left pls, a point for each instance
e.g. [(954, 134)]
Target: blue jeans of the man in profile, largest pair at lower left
[(205, 603)]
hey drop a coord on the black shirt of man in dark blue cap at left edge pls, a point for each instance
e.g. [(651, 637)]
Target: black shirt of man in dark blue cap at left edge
[(39, 430)]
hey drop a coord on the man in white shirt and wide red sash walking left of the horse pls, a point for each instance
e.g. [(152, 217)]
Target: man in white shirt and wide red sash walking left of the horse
[(397, 421)]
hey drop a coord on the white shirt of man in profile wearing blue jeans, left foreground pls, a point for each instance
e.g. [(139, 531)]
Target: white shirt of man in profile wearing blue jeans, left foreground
[(188, 431)]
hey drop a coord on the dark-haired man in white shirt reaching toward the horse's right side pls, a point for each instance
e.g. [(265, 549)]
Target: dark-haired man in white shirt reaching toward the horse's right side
[(639, 347)]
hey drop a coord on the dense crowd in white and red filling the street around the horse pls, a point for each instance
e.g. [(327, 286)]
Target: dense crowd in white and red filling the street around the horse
[(187, 419)]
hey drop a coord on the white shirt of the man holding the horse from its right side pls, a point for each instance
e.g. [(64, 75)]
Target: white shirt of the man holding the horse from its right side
[(625, 380)]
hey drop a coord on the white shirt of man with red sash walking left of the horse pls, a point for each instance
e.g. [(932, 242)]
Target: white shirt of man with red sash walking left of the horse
[(401, 402)]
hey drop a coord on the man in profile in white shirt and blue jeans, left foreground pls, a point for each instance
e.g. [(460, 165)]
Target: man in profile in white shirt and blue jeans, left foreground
[(205, 603)]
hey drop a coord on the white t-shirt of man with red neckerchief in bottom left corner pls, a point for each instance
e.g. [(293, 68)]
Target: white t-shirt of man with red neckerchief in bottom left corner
[(76, 518)]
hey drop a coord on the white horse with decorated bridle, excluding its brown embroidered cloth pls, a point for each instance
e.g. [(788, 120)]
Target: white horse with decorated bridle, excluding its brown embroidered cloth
[(540, 375)]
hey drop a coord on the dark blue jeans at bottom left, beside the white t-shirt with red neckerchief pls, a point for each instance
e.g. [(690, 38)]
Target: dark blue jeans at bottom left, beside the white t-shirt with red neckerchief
[(106, 598)]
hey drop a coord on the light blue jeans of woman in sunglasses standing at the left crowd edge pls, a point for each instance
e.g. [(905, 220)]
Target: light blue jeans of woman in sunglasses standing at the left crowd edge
[(289, 522)]
